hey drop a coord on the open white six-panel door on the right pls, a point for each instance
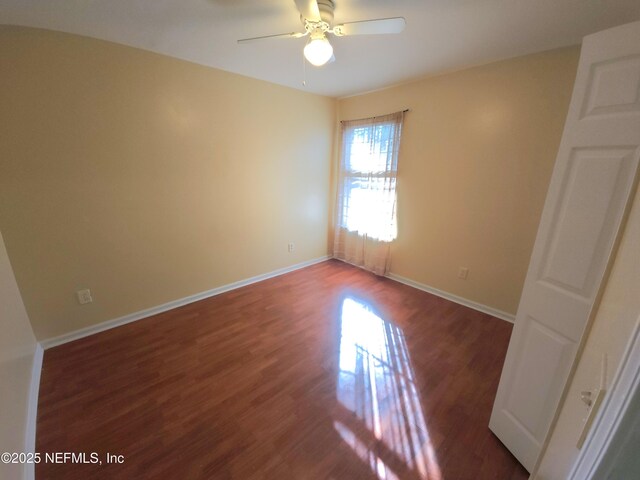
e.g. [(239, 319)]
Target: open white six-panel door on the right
[(590, 189)]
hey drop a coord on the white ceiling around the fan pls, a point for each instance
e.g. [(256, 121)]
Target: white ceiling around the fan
[(441, 35)]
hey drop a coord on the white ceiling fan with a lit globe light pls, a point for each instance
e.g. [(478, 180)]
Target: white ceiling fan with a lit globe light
[(317, 18)]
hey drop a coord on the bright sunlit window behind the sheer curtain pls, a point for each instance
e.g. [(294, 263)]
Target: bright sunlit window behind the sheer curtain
[(367, 183)]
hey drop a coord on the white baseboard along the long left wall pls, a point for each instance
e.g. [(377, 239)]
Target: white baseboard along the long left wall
[(132, 317)]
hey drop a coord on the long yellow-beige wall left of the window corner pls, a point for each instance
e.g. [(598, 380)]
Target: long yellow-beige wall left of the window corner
[(147, 179)]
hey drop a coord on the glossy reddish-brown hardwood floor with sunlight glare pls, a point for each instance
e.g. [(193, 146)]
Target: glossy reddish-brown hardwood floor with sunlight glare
[(326, 372)]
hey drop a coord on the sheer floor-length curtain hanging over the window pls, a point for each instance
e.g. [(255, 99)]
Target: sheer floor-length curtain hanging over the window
[(365, 218)]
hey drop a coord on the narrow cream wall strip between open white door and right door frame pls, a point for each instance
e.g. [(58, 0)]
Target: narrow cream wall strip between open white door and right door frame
[(615, 321)]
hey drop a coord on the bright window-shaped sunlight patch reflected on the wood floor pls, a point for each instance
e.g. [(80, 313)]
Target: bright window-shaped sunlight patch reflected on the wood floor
[(376, 383)]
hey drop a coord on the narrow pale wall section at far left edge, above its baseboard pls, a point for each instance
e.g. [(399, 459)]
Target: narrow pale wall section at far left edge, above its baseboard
[(17, 347)]
